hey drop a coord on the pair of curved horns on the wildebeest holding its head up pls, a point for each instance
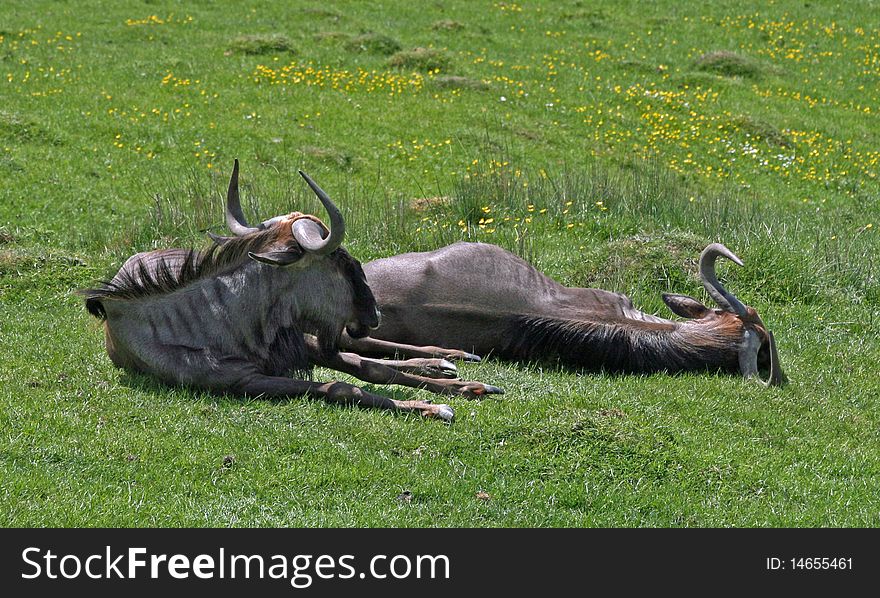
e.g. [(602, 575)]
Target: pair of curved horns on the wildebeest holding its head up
[(308, 233)]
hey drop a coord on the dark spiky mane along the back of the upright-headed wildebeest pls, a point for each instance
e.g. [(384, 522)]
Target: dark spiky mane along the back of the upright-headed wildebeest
[(164, 277)]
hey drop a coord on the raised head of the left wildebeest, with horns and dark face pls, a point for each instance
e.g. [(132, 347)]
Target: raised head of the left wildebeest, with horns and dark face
[(301, 240)]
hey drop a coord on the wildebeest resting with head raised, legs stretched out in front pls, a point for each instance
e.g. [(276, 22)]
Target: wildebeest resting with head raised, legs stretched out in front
[(270, 302)]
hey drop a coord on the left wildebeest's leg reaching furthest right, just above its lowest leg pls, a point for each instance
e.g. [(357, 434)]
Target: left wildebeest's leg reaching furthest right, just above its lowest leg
[(374, 371)]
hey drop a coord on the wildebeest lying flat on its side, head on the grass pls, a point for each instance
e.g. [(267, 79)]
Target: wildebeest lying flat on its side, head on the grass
[(481, 298)]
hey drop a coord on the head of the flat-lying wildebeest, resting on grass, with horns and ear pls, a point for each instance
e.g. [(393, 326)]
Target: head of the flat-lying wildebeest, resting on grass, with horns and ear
[(758, 347)]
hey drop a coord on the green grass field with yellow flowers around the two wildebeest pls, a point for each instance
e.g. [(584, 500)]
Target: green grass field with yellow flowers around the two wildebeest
[(605, 142)]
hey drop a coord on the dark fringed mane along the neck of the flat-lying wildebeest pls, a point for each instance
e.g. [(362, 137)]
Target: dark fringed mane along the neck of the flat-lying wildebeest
[(619, 346)]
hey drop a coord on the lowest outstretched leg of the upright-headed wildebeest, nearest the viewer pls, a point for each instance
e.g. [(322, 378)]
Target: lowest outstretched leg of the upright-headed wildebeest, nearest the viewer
[(336, 392)]
